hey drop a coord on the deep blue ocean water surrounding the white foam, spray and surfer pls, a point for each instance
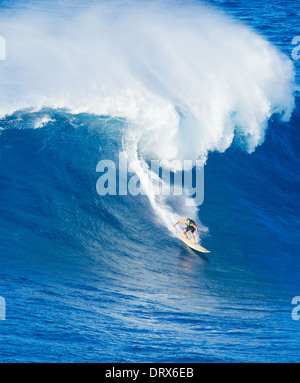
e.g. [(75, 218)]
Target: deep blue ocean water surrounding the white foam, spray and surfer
[(97, 279)]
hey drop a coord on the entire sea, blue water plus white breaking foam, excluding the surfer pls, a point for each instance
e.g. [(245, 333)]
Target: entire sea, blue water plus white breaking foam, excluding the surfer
[(90, 278)]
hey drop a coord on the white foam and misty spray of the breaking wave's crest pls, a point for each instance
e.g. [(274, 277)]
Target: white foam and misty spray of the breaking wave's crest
[(187, 78)]
